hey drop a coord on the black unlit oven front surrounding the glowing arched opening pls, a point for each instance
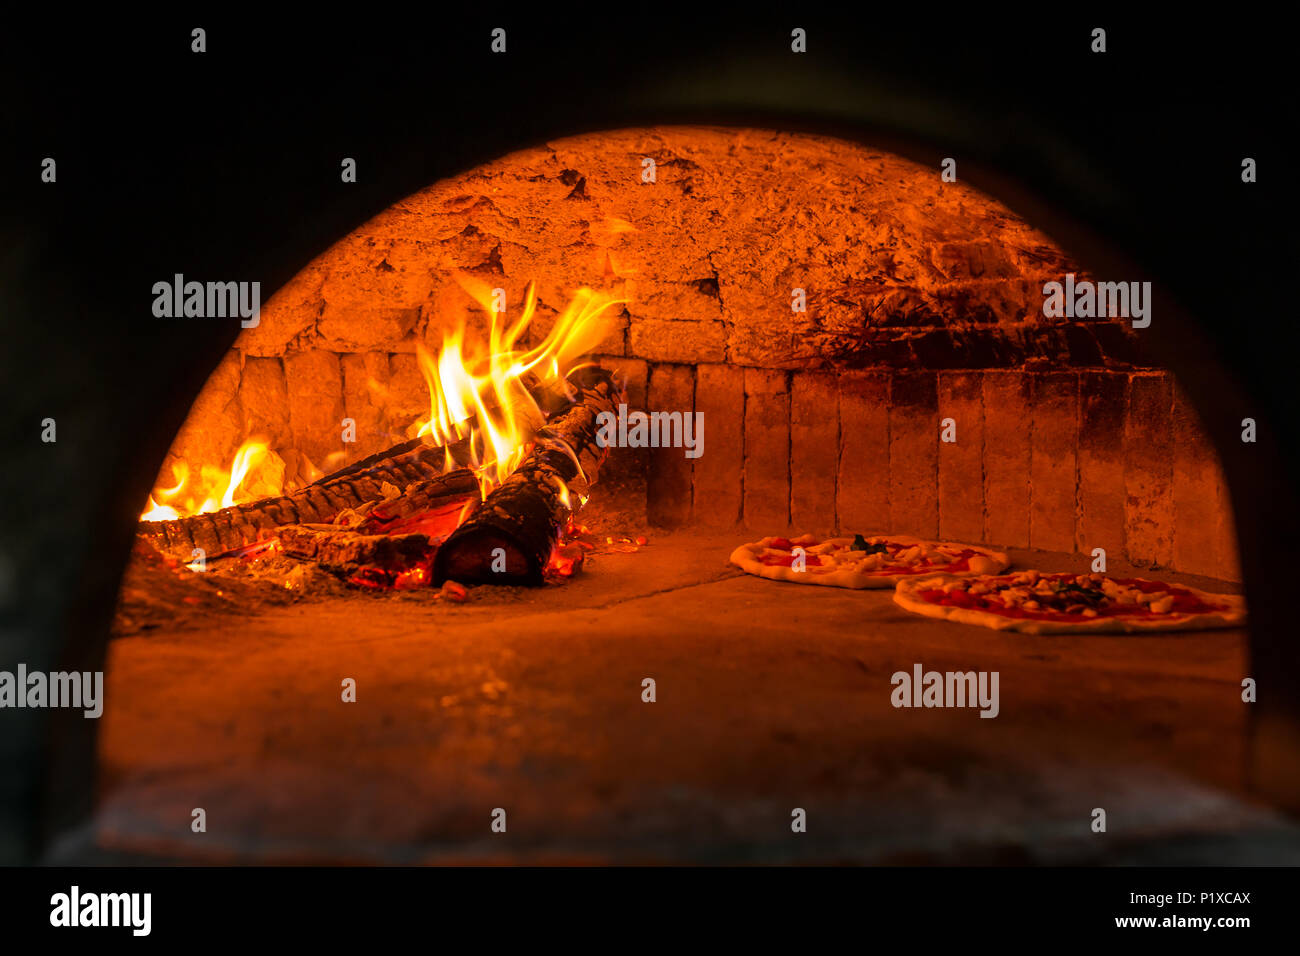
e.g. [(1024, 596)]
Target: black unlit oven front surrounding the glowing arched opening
[(227, 166)]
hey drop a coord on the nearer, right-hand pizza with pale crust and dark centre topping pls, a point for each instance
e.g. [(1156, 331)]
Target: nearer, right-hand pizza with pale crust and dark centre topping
[(1037, 603)]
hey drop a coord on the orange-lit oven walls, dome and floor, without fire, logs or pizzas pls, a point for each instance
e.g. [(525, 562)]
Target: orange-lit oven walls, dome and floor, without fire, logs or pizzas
[(924, 304)]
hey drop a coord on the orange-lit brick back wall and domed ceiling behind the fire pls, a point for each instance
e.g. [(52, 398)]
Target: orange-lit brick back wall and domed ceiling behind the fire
[(922, 302)]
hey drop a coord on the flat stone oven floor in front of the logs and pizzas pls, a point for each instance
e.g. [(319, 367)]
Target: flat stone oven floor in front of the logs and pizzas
[(770, 698)]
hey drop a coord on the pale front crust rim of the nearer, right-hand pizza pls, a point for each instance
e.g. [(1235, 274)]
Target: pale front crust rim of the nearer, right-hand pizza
[(1233, 615)]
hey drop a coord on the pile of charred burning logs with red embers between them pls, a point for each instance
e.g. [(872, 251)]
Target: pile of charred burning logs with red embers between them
[(385, 522)]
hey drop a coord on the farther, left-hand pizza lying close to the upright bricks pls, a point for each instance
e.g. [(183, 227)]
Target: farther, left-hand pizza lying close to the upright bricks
[(879, 561)]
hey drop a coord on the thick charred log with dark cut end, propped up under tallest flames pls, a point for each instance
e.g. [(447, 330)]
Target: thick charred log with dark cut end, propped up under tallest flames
[(513, 534)]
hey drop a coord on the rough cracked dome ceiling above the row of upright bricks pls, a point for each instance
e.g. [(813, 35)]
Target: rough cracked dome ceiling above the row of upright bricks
[(892, 261)]
